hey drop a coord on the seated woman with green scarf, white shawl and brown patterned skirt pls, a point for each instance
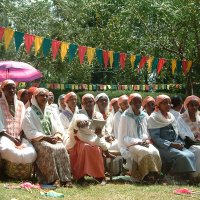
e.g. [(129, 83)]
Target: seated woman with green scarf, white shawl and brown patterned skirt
[(40, 127)]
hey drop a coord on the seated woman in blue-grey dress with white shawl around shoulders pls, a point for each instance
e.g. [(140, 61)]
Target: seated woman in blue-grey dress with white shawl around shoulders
[(165, 136)]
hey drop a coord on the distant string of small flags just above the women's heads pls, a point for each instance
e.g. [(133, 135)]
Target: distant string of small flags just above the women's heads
[(102, 87)]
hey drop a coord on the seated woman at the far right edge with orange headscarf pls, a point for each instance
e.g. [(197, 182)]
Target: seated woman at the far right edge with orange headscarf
[(189, 128)]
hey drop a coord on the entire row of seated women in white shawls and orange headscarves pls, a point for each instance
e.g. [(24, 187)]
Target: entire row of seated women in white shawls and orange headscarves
[(63, 145)]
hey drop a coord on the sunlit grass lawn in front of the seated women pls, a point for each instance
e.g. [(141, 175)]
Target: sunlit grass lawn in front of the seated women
[(111, 191)]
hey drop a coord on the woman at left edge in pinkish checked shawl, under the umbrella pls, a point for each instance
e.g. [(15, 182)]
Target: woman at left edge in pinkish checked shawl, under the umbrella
[(14, 148)]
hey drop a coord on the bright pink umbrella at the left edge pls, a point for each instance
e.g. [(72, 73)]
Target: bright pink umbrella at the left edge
[(18, 71)]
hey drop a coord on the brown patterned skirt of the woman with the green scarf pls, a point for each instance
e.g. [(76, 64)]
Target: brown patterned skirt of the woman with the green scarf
[(52, 162)]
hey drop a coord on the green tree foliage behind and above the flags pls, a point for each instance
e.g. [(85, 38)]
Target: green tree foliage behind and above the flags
[(161, 28)]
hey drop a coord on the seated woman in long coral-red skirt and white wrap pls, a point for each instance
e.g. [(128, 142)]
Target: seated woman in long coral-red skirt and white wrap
[(85, 154)]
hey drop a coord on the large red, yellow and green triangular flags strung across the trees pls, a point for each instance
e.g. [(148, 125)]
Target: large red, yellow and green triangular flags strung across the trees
[(106, 58)]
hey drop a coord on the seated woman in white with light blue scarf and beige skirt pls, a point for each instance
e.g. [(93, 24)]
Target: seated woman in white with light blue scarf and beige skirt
[(134, 142)]
